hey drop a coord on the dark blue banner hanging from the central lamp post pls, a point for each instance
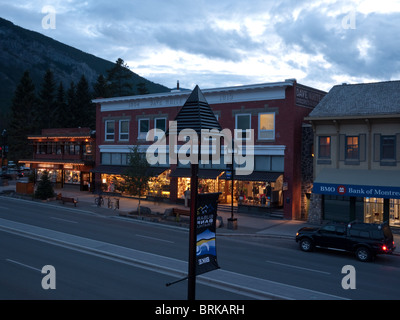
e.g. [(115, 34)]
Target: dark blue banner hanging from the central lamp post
[(206, 214)]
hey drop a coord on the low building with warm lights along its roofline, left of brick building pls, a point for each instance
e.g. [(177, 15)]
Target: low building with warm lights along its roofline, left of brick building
[(66, 154)]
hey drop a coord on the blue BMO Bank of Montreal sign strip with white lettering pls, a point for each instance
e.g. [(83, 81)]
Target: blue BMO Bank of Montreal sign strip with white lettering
[(357, 190)]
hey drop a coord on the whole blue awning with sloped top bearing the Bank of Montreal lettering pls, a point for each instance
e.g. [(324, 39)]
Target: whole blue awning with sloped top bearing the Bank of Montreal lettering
[(358, 183)]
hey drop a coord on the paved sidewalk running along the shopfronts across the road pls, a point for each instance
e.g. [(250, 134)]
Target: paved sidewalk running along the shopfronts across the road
[(247, 224)]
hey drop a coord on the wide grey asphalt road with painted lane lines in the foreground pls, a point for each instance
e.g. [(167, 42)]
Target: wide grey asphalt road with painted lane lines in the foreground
[(115, 258)]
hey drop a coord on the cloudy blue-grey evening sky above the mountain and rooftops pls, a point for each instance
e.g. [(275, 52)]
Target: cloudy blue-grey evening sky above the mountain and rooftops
[(228, 42)]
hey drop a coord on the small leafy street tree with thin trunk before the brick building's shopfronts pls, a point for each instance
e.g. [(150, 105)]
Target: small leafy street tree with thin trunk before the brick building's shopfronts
[(136, 175)]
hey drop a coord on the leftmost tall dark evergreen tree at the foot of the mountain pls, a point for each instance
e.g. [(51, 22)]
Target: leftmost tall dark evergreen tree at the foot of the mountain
[(22, 123)]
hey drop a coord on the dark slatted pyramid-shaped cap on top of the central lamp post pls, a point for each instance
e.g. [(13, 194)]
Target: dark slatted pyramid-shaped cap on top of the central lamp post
[(196, 114)]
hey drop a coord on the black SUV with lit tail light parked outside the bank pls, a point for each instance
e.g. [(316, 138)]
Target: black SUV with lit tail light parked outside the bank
[(366, 240)]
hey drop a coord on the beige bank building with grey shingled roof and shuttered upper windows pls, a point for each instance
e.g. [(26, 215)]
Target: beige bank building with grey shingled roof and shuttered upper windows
[(357, 154)]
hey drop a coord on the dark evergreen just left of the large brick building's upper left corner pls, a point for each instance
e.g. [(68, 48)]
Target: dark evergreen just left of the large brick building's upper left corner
[(87, 111)]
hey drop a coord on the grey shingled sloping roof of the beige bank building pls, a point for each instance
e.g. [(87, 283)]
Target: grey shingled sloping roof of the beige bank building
[(367, 99)]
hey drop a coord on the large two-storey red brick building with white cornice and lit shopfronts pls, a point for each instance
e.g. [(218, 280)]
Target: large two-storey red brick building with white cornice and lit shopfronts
[(275, 111)]
